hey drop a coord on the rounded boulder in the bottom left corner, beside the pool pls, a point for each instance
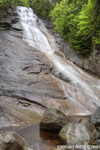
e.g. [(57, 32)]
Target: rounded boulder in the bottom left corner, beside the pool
[(12, 141)]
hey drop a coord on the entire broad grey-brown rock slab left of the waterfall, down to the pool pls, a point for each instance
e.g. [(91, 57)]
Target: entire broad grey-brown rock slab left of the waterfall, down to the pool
[(26, 84)]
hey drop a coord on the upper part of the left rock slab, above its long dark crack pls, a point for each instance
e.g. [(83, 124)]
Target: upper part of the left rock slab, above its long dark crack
[(25, 70)]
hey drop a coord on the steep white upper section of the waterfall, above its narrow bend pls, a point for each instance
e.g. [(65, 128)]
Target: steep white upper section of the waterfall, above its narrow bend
[(32, 30)]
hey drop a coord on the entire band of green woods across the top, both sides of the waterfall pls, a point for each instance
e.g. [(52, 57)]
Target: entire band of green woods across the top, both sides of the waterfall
[(76, 21)]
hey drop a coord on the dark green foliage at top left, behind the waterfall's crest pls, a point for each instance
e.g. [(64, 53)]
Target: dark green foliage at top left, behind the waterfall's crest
[(41, 7)]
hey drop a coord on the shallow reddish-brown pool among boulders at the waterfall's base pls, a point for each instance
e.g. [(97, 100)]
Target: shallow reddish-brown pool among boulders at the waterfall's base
[(39, 139)]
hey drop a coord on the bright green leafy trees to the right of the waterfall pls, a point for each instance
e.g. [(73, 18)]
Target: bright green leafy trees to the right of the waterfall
[(78, 21)]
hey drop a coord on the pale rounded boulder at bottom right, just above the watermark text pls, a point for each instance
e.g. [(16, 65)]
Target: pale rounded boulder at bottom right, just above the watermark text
[(77, 133)]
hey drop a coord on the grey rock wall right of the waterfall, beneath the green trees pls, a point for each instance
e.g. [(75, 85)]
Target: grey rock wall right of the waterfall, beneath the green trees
[(91, 64)]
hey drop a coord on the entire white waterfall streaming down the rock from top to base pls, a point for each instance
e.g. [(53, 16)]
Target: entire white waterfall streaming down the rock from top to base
[(82, 91)]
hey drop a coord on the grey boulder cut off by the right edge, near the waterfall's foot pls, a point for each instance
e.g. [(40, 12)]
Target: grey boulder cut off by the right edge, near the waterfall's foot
[(95, 118)]
